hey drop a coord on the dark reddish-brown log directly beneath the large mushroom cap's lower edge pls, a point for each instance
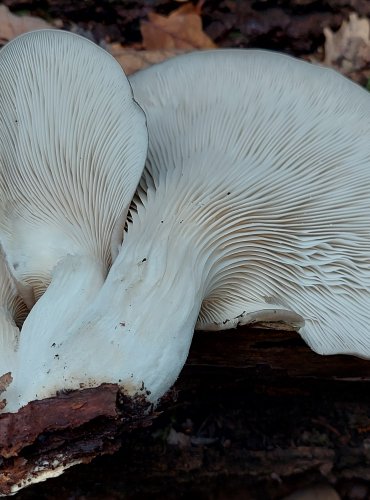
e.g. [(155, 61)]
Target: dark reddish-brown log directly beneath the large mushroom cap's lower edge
[(278, 350)]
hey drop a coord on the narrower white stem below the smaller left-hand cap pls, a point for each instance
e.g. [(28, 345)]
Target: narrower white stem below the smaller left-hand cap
[(75, 282)]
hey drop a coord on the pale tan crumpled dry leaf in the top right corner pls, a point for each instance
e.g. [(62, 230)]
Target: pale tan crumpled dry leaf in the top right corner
[(348, 50)]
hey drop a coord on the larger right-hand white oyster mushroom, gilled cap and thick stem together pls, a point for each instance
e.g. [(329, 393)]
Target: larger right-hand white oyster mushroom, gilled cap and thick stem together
[(254, 206)]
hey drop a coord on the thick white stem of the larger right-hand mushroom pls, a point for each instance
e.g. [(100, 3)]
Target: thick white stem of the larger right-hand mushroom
[(147, 310)]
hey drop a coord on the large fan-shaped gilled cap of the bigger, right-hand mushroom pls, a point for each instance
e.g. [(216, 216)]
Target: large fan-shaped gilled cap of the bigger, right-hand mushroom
[(262, 162)]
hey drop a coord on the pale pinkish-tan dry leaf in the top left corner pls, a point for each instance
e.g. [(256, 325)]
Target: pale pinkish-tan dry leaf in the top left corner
[(12, 25)]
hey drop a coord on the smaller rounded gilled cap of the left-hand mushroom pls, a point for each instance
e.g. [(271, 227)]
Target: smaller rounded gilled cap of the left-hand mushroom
[(72, 148)]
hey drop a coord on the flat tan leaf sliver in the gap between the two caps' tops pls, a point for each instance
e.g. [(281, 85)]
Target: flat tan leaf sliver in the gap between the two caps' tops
[(133, 60)]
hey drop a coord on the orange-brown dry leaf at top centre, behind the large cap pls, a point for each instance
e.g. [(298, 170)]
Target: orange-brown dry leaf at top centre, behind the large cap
[(182, 29)]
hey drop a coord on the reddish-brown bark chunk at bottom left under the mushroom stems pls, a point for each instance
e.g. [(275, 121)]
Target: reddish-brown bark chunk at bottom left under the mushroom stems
[(46, 437)]
